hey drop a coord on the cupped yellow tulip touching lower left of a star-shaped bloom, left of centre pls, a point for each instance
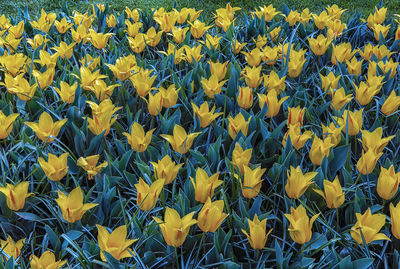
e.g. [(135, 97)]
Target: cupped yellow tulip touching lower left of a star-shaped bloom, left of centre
[(147, 196)]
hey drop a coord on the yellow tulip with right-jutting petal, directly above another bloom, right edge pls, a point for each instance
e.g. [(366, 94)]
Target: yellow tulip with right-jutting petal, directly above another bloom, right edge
[(373, 140)]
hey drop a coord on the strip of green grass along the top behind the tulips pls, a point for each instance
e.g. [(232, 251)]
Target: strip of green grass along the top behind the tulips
[(10, 7)]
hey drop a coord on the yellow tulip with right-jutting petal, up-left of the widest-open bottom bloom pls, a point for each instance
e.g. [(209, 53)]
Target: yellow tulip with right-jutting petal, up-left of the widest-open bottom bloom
[(72, 206)]
